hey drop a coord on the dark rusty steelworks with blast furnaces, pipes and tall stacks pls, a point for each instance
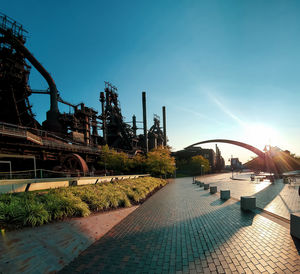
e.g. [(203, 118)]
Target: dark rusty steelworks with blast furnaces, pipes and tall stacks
[(65, 142)]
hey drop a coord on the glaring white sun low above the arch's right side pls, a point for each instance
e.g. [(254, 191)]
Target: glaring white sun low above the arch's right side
[(260, 135)]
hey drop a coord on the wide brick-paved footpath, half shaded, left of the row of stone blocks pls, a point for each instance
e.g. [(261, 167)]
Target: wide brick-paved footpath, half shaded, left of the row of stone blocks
[(183, 228)]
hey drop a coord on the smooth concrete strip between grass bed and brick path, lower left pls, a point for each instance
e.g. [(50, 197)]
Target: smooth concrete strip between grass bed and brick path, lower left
[(49, 248)]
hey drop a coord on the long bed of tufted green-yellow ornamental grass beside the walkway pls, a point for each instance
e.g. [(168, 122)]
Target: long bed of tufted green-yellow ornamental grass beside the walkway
[(35, 209)]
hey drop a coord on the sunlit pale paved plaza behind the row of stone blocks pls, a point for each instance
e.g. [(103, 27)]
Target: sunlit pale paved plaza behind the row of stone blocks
[(278, 198)]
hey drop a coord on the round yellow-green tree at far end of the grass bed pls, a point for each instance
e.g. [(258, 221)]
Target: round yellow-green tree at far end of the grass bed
[(159, 162)]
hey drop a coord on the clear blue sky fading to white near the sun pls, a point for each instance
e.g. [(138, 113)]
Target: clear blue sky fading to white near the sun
[(223, 69)]
